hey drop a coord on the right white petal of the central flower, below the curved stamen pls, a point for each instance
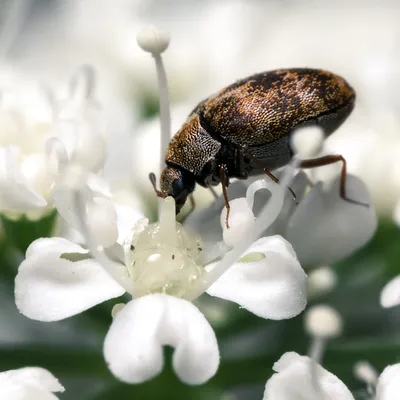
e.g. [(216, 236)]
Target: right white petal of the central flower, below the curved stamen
[(274, 287)]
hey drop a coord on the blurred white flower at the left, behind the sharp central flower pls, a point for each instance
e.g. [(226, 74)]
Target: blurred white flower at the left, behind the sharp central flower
[(28, 119)]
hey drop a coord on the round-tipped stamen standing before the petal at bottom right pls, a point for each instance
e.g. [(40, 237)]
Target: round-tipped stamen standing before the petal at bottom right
[(322, 322)]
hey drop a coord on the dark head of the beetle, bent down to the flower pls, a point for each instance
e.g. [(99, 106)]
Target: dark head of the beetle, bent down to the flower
[(178, 184)]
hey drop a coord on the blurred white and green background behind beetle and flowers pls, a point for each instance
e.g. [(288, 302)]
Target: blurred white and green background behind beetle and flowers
[(213, 43)]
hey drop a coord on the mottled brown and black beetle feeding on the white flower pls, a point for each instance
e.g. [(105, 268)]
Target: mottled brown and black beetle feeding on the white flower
[(245, 130)]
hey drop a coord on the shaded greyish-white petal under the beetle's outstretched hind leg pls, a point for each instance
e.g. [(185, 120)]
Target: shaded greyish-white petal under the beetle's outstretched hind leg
[(325, 228)]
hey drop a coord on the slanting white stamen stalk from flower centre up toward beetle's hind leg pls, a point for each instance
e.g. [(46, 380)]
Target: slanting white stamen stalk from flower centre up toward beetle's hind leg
[(266, 217)]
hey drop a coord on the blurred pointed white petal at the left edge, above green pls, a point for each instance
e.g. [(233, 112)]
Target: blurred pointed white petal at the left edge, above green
[(15, 190)]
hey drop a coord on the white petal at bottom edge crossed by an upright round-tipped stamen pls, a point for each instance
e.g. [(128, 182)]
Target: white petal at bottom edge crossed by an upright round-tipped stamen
[(293, 381)]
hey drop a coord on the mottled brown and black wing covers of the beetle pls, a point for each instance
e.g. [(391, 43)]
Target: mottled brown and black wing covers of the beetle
[(267, 106)]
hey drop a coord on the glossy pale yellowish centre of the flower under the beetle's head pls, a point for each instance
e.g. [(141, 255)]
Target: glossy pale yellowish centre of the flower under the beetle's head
[(163, 256)]
